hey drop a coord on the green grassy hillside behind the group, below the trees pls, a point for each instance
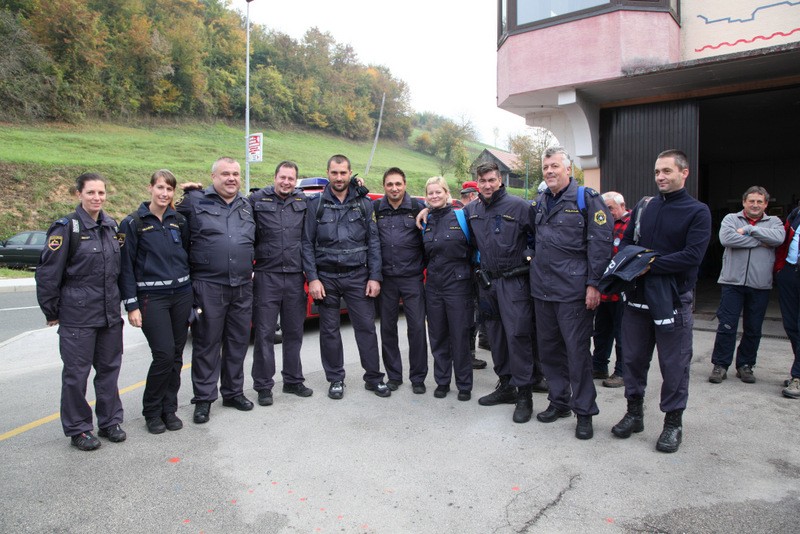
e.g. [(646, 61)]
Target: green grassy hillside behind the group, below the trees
[(38, 163)]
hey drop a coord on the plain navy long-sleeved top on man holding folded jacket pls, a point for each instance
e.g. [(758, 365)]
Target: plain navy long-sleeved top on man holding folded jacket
[(678, 227)]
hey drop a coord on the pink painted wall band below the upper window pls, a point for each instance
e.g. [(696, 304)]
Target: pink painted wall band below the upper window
[(584, 51)]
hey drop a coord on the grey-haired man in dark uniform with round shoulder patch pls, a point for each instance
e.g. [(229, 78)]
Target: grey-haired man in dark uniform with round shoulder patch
[(573, 248)]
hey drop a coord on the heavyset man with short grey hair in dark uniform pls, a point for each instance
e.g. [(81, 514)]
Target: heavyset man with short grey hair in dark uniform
[(222, 233)]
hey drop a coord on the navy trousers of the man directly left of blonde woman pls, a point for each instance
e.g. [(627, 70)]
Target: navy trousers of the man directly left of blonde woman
[(411, 291)]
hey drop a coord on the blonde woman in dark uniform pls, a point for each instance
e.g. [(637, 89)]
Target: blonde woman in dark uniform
[(448, 292)]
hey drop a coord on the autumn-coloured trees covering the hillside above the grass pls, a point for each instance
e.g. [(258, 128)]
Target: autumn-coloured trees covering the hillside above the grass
[(68, 60)]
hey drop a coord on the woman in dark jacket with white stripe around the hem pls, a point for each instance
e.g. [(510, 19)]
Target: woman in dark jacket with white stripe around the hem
[(157, 294)]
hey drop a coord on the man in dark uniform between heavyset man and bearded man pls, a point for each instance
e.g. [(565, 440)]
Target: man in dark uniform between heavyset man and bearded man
[(279, 283)]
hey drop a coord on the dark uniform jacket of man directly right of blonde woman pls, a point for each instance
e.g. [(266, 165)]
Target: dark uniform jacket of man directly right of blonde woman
[(501, 227)]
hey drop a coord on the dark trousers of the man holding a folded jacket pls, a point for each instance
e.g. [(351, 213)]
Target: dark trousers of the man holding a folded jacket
[(640, 337)]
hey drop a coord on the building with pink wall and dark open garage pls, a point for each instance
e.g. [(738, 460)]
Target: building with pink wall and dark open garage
[(618, 81)]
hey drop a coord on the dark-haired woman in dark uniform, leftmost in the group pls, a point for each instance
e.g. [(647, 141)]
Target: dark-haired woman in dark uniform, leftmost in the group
[(76, 285)]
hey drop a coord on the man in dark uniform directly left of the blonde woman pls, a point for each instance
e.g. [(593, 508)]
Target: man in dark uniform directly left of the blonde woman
[(402, 258)]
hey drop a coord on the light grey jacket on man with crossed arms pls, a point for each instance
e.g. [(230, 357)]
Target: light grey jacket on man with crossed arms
[(748, 259)]
